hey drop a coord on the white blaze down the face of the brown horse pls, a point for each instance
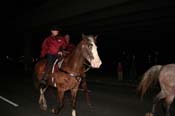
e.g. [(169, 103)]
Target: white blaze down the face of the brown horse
[(96, 62)]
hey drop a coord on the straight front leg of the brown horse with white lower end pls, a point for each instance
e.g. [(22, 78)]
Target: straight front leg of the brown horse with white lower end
[(74, 96)]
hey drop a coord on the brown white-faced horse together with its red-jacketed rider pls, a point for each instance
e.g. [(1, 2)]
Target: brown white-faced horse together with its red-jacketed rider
[(72, 71)]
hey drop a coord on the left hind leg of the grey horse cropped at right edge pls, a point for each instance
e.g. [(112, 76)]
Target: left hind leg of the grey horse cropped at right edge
[(159, 96)]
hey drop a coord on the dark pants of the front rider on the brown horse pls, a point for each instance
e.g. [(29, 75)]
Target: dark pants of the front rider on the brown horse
[(50, 60)]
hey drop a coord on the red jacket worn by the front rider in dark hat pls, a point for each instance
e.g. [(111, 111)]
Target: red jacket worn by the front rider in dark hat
[(52, 46)]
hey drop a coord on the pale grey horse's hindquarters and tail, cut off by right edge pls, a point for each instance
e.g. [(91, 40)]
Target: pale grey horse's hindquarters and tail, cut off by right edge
[(165, 74)]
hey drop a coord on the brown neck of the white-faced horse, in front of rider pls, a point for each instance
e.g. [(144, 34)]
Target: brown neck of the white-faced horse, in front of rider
[(74, 61)]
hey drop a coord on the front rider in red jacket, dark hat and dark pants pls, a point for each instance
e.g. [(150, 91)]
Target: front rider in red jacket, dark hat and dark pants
[(52, 48)]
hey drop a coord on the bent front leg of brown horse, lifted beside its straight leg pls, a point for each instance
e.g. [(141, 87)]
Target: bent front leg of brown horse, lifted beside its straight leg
[(60, 102)]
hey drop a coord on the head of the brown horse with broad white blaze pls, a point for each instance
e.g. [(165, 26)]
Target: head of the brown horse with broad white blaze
[(89, 50)]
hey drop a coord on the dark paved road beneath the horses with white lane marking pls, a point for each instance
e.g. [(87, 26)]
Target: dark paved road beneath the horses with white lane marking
[(107, 100)]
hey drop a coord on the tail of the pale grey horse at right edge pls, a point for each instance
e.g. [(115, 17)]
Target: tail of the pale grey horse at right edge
[(150, 76)]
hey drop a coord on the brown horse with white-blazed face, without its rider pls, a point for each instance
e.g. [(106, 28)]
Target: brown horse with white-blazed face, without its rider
[(72, 71)]
